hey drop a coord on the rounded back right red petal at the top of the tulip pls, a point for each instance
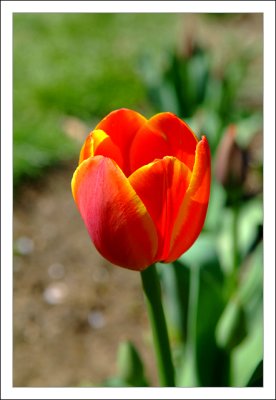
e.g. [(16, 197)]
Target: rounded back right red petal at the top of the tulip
[(163, 135)]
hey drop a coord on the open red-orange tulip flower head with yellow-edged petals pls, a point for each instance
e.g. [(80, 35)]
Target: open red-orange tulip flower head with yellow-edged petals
[(142, 187)]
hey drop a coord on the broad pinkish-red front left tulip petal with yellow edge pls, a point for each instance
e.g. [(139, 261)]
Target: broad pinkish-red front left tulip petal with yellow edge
[(116, 219)]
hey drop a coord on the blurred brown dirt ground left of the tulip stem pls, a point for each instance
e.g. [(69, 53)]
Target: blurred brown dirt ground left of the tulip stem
[(71, 308)]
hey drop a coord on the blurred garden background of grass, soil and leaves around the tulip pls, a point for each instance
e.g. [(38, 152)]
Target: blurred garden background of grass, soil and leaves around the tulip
[(78, 320)]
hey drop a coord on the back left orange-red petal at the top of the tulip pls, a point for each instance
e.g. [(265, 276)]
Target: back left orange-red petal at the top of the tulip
[(122, 125)]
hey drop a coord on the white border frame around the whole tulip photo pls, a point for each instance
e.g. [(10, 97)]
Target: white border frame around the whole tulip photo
[(265, 7)]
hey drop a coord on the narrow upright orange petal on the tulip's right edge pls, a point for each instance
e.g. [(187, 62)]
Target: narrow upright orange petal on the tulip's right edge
[(192, 213)]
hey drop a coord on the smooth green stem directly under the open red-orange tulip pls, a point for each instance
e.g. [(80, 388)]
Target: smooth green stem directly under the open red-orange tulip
[(152, 290)]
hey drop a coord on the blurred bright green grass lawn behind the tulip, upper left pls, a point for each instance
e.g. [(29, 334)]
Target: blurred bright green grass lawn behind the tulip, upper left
[(81, 65)]
